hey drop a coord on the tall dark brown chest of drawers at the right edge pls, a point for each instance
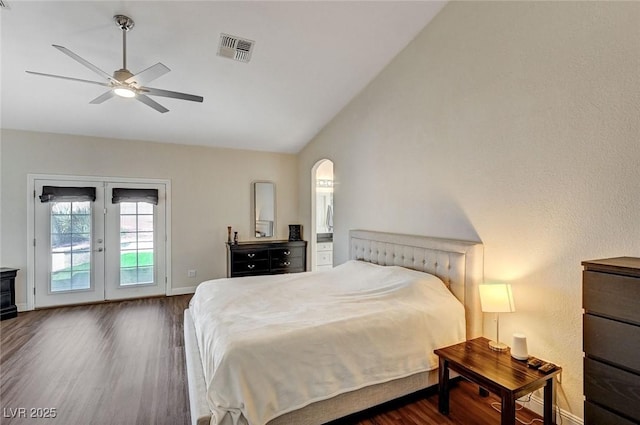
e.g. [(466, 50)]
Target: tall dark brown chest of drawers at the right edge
[(611, 341)]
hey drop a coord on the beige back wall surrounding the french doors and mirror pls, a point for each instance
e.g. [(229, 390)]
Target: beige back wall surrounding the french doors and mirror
[(211, 189)]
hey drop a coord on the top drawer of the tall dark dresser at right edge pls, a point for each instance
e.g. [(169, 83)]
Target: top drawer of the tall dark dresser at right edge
[(611, 295)]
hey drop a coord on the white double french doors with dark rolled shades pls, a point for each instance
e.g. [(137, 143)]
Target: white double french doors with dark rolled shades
[(98, 240)]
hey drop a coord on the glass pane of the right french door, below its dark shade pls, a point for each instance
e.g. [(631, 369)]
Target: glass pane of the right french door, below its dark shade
[(136, 243)]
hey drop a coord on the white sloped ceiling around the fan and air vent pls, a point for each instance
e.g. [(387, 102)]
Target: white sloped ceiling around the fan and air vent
[(309, 60)]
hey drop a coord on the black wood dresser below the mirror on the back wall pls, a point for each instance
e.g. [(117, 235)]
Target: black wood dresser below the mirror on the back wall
[(259, 258)]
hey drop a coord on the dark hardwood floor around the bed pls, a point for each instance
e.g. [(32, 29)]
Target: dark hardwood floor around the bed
[(123, 363)]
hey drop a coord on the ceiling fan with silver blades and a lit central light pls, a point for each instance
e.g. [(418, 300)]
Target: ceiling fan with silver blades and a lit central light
[(123, 83)]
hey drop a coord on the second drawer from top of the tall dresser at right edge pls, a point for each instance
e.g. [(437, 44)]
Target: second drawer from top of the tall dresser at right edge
[(612, 341)]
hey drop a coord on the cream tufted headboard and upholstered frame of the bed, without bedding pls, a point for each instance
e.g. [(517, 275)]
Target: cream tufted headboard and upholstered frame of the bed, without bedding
[(459, 264)]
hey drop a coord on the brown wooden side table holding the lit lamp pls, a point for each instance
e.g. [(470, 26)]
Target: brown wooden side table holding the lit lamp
[(496, 372)]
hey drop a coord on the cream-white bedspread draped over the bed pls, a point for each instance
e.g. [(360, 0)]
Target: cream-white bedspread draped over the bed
[(273, 344)]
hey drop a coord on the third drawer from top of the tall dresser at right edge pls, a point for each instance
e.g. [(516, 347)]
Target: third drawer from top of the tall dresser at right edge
[(613, 388)]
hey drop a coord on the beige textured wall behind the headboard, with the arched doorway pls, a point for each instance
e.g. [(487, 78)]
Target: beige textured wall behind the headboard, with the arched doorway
[(513, 123)]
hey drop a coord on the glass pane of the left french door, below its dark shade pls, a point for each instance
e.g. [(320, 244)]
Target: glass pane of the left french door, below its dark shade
[(70, 246)]
